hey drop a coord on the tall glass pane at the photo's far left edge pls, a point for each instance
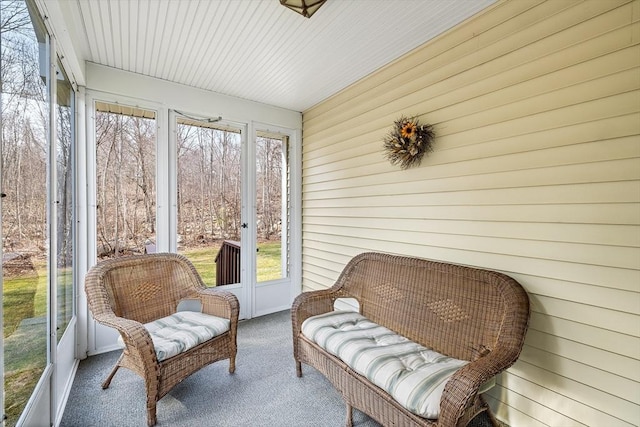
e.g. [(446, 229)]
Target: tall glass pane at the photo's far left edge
[(25, 119)]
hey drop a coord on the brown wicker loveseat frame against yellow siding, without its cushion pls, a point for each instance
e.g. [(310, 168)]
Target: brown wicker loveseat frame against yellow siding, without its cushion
[(476, 316)]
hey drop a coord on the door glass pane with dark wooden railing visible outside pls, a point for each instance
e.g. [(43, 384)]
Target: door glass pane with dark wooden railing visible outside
[(209, 198)]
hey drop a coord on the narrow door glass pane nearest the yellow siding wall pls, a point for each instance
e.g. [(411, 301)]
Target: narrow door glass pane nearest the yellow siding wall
[(271, 207)]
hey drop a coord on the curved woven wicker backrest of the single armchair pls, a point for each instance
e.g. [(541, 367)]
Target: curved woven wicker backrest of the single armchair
[(141, 287)]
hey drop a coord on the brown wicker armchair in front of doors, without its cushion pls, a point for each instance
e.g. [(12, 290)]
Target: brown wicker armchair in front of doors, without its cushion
[(125, 293)]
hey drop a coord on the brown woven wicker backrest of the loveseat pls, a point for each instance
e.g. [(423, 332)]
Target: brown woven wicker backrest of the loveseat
[(459, 311)]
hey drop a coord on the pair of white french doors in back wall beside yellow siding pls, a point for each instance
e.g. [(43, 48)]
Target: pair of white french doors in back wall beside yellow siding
[(231, 207)]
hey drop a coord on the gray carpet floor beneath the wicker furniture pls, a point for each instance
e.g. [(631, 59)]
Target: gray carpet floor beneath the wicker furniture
[(264, 390)]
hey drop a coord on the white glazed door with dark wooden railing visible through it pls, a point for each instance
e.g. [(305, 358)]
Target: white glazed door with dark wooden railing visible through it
[(207, 219)]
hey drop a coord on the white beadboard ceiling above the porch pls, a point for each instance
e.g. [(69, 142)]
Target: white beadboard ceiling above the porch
[(257, 49)]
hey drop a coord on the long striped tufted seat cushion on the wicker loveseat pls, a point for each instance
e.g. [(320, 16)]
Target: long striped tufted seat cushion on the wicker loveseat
[(413, 375)]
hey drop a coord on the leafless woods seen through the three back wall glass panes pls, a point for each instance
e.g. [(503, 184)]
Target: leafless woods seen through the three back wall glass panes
[(209, 183)]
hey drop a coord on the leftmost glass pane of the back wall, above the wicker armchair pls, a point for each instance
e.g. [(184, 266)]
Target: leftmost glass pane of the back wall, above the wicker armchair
[(125, 174)]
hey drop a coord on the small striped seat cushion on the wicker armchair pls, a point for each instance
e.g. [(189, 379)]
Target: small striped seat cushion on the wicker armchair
[(181, 331)]
